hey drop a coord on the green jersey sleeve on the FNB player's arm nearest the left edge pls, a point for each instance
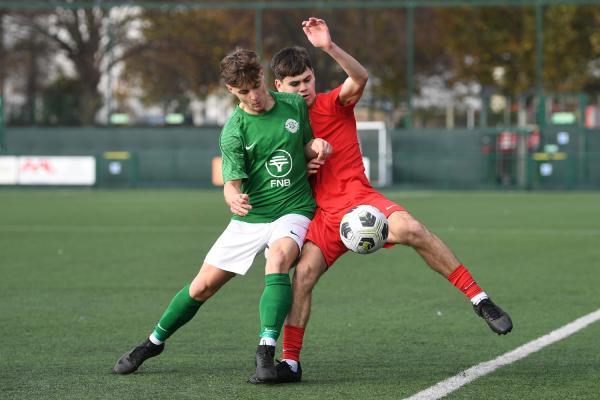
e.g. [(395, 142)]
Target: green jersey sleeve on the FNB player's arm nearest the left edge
[(232, 154)]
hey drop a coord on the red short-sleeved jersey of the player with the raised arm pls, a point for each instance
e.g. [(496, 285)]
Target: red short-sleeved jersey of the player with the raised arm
[(342, 180)]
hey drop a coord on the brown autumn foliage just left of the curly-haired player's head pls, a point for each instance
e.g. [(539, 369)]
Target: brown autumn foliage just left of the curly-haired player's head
[(183, 51)]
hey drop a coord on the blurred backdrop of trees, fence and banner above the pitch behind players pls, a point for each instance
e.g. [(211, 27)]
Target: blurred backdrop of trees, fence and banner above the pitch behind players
[(494, 94)]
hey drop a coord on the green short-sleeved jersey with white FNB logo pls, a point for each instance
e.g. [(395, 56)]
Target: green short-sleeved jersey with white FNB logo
[(266, 151)]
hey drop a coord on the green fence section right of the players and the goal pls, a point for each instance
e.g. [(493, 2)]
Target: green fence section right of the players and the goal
[(565, 157)]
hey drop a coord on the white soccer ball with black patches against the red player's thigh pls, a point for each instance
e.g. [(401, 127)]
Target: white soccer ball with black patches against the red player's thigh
[(364, 229)]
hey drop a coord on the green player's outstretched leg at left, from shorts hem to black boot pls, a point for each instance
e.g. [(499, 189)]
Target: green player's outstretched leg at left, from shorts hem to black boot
[(181, 310)]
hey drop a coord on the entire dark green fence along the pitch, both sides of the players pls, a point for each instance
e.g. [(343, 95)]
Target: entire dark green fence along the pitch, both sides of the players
[(561, 157)]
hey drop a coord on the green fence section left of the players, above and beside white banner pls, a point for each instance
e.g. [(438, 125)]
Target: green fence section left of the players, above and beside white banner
[(132, 157)]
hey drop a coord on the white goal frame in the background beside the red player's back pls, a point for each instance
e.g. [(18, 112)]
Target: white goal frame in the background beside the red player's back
[(376, 148)]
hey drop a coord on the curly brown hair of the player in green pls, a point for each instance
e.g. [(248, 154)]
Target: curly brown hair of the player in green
[(241, 68)]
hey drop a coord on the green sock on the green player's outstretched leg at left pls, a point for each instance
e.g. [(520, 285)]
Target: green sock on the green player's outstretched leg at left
[(181, 309)]
